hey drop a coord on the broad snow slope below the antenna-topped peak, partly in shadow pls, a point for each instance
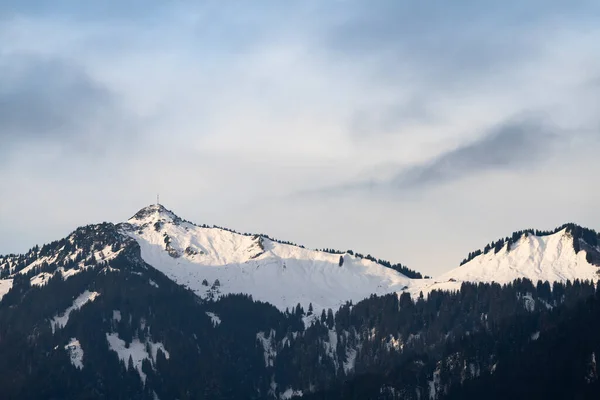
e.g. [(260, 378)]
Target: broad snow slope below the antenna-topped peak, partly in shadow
[(281, 274)]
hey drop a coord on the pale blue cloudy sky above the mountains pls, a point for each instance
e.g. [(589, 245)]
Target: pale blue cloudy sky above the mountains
[(416, 131)]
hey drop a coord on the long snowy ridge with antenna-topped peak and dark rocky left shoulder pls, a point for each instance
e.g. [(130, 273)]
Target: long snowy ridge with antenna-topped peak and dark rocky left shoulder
[(211, 261)]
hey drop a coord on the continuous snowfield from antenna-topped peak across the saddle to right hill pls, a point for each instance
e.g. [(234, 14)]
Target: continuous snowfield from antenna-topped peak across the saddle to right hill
[(285, 275)]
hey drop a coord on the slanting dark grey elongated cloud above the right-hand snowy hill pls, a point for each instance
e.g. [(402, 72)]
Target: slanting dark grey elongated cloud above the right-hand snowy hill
[(512, 145)]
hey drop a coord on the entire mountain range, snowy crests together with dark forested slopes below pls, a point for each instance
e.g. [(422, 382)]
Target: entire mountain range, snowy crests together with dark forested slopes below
[(120, 311)]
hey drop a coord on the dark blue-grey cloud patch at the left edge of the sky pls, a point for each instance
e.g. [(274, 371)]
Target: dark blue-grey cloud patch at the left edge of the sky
[(51, 99)]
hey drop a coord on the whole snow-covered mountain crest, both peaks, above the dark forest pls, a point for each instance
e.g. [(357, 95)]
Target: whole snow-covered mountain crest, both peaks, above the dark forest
[(213, 262)]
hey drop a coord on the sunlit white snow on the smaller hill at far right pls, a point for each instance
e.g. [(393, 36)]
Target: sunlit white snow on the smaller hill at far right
[(548, 258)]
